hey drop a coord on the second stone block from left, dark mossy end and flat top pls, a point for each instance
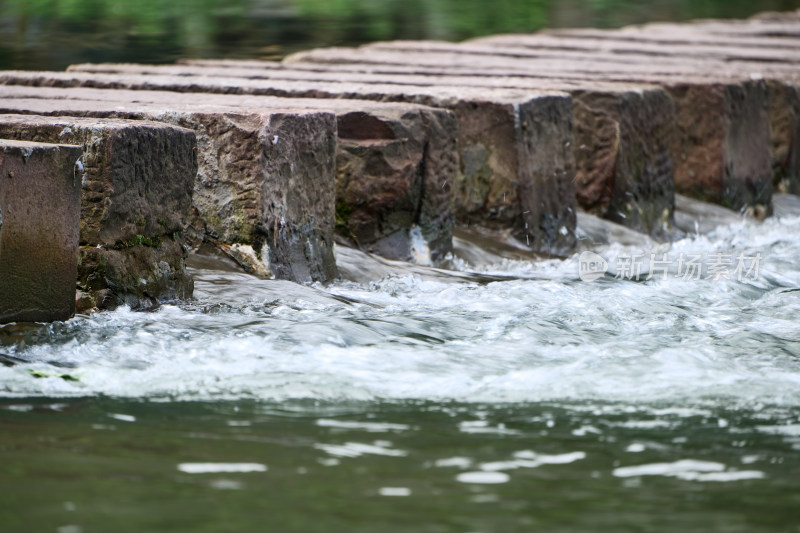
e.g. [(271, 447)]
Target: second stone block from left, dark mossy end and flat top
[(137, 181)]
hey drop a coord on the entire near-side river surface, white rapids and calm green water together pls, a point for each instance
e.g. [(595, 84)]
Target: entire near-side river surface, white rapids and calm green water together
[(505, 395)]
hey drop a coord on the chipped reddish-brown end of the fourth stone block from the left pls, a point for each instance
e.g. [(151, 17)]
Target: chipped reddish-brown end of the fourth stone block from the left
[(395, 177)]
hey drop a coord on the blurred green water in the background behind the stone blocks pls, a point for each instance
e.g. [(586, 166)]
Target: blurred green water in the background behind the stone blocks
[(51, 34)]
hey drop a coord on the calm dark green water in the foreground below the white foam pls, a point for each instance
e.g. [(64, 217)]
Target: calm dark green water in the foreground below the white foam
[(102, 465)]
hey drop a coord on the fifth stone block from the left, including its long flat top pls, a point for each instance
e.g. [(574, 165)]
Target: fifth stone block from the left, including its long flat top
[(518, 199)]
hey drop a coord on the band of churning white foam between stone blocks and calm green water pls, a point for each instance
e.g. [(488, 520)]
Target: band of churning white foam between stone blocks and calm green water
[(670, 343)]
